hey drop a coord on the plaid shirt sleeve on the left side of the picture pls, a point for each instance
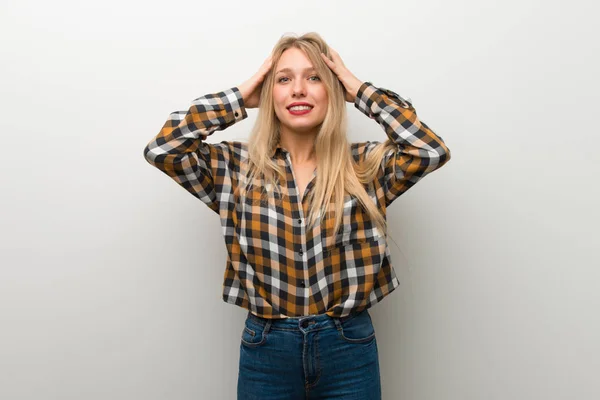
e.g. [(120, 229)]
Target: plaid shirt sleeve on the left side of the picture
[(179, 149)]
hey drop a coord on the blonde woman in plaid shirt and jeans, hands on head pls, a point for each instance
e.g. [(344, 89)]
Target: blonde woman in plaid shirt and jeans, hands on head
[(303, 214)]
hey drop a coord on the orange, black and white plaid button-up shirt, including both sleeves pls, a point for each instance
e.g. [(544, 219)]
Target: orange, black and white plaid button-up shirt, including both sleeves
[(276, 266)]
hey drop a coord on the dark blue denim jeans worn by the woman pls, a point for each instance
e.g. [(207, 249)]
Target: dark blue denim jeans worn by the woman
[(310, 357)]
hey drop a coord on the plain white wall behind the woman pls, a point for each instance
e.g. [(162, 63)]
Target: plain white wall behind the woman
[(110, 284)]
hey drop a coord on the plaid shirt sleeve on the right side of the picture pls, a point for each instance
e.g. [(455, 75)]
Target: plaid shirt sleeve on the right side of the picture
[(419, 150)]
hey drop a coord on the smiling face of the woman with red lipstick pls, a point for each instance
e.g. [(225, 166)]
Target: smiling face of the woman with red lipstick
[(297, 82)]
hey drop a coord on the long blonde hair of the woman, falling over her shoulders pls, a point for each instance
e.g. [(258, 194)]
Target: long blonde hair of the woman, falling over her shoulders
[(337, 172)]
